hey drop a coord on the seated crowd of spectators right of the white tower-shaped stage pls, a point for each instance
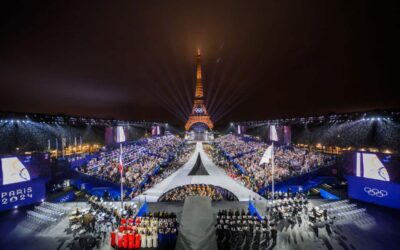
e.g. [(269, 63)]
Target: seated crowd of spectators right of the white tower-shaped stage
[(289, 161)]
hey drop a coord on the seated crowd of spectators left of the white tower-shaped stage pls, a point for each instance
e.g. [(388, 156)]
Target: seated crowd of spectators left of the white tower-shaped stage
[(139, 160)]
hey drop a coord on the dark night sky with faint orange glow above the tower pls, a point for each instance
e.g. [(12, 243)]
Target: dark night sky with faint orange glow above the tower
[(261, 59)]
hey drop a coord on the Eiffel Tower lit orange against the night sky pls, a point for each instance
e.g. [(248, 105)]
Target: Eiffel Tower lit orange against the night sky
[(199, 113)]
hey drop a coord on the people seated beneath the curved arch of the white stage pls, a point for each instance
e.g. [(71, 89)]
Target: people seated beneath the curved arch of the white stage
[(203, 190)]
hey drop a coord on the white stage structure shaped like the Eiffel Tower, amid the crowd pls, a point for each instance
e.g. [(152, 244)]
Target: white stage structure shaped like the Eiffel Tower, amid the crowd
[(181, 177)]
